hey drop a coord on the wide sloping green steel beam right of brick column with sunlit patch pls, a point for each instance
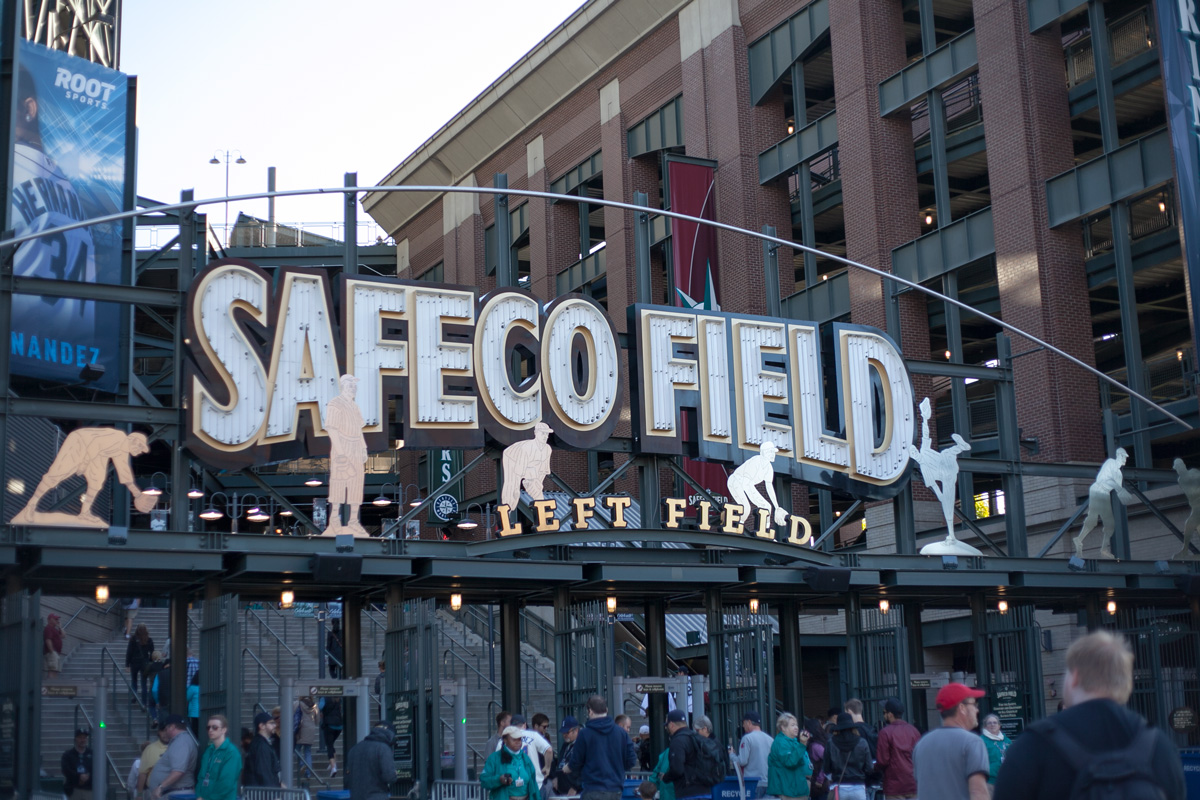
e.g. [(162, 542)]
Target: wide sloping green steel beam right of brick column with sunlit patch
[(1109, 179)]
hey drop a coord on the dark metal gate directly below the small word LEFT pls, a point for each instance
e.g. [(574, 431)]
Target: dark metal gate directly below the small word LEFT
[(583, 658)]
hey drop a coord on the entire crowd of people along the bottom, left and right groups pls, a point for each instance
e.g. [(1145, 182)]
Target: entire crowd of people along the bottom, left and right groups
[(1094, 743)]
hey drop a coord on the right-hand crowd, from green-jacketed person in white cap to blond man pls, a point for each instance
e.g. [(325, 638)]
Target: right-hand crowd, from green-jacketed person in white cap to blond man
[(1095, 743)]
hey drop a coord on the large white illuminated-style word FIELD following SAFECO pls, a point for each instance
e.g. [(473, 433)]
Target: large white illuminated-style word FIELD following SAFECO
[(782, 396)]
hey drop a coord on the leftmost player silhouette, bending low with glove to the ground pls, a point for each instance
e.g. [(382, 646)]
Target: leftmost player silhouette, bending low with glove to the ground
[(88, 453)]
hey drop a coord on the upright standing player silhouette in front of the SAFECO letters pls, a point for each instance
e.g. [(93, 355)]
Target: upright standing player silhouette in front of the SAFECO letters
[(347, 460)]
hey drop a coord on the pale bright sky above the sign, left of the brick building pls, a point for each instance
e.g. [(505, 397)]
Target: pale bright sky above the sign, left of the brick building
[(314, 88)]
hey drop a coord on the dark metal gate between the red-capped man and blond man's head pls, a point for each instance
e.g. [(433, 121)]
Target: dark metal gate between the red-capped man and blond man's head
[(1009, 667)]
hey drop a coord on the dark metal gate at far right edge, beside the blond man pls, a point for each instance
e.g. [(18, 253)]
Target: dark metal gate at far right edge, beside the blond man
[(1166, 687)]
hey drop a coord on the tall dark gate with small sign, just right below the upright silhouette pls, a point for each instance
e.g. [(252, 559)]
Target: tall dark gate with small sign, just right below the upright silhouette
[(411, 700)]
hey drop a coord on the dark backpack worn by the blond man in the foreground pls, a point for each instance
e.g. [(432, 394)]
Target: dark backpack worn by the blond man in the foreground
[(1111, 775)]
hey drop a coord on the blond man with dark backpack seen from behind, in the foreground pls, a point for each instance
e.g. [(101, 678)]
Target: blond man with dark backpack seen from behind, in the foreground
[(1096, 748)]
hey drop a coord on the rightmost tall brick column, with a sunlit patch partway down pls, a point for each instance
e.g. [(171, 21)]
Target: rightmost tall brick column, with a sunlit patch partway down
[(1043, 288)]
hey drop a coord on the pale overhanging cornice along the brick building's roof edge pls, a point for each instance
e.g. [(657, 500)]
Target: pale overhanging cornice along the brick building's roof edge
[(559, 67)]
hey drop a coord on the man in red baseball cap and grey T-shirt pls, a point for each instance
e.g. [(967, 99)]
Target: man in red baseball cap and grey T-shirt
[(951, 763)]
